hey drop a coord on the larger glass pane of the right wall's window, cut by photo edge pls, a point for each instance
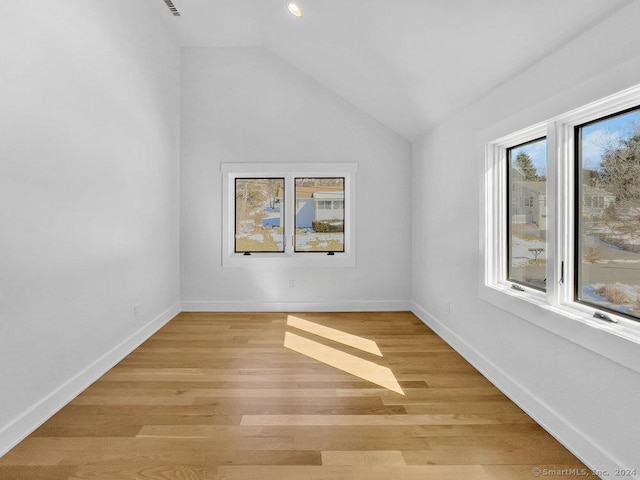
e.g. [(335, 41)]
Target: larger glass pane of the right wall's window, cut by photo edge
[(608, 246)]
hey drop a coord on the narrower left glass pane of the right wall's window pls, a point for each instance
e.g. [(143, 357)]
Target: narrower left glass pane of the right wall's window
[(527, 218)]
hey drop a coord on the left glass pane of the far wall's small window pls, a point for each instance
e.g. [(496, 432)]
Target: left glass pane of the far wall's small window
[(259, 215)]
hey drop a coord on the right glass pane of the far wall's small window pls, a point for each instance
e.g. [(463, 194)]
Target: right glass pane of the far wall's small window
[(319, 215)]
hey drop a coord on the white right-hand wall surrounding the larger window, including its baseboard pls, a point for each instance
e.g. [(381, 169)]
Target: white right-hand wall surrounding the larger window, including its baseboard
[(586, 400)]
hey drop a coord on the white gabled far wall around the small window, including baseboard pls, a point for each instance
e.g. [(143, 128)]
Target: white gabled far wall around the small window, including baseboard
[(245, 104)]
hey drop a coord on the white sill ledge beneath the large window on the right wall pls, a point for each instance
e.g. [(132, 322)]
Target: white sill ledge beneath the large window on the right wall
[(618, 342)]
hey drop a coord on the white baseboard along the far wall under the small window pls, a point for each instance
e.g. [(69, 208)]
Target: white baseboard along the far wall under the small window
[(340, 306)]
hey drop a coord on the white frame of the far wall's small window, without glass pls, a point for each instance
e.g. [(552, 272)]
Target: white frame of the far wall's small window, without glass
[(288, 171)]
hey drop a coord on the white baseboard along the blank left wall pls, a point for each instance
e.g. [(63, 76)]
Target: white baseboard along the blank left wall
[(21, 427)]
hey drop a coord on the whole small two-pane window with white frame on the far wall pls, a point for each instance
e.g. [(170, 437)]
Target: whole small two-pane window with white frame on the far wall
[(288, 214)]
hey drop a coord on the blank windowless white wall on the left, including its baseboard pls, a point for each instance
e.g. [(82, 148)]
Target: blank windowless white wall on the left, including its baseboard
[(89, 168)]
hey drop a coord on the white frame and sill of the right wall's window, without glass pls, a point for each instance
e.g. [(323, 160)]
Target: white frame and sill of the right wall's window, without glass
[(554, 310)]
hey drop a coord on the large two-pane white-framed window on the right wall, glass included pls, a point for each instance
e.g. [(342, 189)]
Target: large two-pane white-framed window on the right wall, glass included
[(562, 218)]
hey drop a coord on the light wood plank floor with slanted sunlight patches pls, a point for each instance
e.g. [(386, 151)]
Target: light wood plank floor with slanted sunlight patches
[(220, 396)]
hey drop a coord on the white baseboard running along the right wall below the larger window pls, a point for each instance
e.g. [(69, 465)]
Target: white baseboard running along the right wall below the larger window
[(583, 447)]
